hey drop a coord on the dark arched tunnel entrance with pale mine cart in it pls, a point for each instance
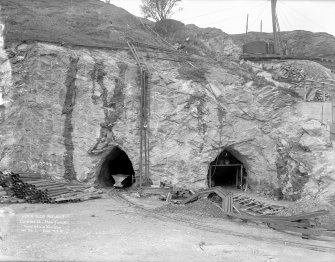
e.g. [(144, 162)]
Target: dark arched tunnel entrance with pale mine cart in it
[(116, 164)]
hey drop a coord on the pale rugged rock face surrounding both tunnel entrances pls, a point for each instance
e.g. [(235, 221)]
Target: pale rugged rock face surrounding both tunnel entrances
[(64, 109)]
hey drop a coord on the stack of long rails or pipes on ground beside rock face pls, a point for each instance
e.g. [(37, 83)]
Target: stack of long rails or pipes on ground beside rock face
[(36, 190)]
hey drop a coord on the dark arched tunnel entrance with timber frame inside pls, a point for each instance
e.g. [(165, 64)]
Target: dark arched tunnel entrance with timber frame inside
[(226, 171)]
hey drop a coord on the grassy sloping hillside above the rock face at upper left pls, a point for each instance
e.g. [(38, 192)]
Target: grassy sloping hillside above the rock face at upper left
[(77, 22)]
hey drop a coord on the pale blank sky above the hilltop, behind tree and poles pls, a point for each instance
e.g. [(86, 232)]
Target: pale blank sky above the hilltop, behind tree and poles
[(231, 15)]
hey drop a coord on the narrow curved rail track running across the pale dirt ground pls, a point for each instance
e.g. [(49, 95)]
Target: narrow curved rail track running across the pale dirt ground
[(218, 230)]
